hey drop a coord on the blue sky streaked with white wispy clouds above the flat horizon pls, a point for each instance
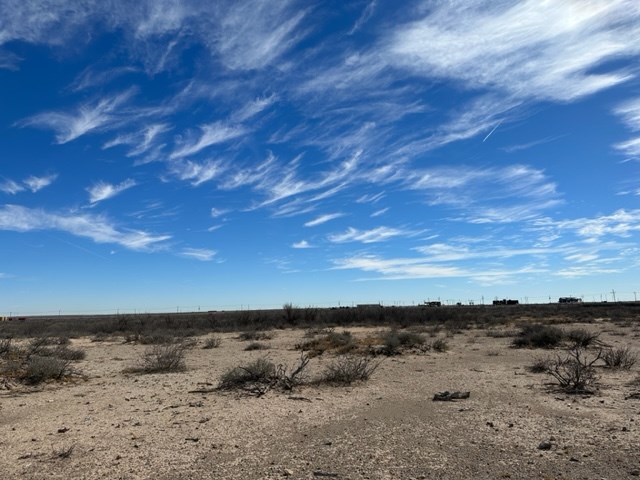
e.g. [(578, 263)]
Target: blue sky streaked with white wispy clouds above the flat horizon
[(164, 155)]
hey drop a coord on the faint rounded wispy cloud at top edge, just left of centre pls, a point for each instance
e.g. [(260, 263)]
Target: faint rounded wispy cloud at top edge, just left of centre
[(253, 34)]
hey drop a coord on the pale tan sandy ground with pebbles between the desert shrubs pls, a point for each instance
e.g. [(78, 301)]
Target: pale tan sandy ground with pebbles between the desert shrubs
[(124, 426)]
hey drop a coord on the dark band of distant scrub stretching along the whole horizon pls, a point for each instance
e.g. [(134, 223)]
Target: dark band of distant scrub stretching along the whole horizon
[(196, 323)]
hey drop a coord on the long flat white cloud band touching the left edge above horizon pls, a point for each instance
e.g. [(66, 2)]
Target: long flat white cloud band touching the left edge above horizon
[(97, 228)]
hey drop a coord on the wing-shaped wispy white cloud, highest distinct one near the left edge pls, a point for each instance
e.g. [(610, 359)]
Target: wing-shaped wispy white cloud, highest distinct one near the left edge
[(87, 118)]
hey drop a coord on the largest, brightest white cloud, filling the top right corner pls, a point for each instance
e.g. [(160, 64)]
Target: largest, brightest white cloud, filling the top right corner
[(545, 50)]
